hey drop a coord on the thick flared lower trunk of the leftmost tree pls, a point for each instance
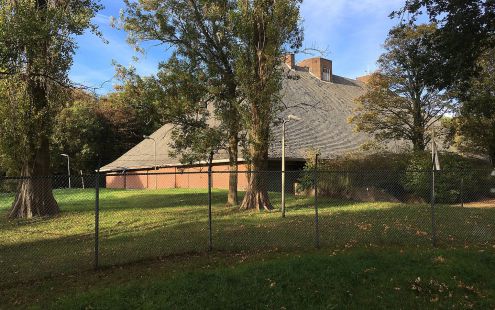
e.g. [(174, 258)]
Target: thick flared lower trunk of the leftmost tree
[(35, 196)]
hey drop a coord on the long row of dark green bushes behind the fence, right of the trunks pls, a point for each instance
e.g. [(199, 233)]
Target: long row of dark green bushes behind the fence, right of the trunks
[(402, 175)]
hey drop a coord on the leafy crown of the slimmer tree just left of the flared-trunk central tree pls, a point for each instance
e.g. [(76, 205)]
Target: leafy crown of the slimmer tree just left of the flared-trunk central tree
[(197, 86)]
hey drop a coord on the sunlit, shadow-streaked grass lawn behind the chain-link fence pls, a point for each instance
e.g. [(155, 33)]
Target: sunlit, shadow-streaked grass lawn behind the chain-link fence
[(143, 224)]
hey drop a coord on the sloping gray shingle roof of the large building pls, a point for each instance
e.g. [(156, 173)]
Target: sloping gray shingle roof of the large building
[(324, 108)]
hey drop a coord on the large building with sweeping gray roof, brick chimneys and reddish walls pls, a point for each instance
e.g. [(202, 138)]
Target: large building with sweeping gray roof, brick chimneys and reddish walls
[(323, 102)]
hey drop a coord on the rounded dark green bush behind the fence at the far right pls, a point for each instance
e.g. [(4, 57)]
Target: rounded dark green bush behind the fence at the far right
[(473, 173)]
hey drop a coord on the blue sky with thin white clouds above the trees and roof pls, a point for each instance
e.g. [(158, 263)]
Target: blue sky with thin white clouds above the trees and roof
[(351, 32)]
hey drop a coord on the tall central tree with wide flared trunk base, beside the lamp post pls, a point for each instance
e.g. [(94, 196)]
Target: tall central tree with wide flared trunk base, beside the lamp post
[(264, 29)]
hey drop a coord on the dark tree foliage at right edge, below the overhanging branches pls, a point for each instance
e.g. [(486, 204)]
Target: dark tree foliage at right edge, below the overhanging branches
[(475, 126)]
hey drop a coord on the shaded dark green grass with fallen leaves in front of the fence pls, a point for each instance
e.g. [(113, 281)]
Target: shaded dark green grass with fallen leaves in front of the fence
[(376, 277)]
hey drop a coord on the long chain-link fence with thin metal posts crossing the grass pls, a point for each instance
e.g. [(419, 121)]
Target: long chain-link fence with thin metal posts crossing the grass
[(118, 218)]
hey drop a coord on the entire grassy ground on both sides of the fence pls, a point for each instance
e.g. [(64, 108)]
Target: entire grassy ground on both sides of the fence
[(138, 225)]
